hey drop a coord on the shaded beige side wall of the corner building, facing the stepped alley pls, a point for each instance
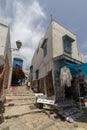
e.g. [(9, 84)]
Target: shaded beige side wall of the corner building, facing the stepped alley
[(44, 64)]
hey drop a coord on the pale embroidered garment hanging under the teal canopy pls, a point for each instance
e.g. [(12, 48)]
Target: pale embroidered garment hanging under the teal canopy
[(65, 77)]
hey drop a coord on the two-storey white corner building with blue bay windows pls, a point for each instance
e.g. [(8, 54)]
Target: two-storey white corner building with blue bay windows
[(58, 47)]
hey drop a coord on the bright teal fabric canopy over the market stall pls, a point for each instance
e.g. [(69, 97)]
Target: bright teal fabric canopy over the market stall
[(75, 67)]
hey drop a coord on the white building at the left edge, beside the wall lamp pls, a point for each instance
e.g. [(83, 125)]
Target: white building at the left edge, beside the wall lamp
[(5, 52)]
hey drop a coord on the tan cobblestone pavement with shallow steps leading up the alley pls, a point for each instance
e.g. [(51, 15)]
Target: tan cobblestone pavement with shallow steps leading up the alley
[(22, 114)]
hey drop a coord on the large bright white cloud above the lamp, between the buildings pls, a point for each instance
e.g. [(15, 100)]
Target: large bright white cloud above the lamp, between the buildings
[(25, 26)]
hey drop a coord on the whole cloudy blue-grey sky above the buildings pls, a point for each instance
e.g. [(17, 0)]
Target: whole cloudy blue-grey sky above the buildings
[(29, 19)]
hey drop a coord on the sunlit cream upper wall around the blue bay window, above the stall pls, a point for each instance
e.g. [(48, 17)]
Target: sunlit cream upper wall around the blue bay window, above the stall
[(57, 33)]
